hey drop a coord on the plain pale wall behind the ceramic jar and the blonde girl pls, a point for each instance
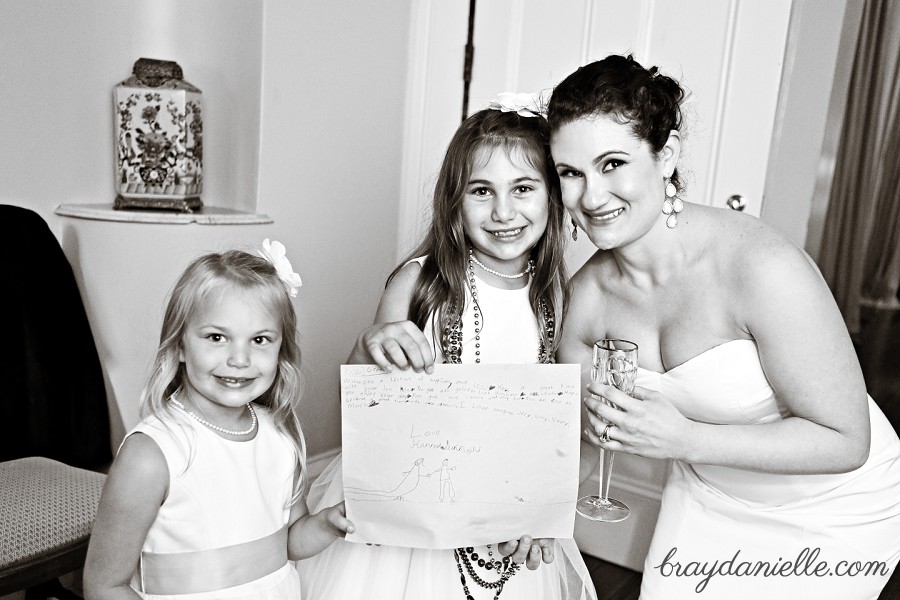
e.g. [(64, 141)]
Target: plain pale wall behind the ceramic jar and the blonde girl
[(303, 105)]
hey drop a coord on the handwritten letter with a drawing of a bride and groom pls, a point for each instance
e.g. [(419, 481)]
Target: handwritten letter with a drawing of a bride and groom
[(467, 455)]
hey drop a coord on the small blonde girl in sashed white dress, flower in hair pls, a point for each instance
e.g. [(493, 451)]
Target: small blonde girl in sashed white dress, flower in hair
[(203, 499)]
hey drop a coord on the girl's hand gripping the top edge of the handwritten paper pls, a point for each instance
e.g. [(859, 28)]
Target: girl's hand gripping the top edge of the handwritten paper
[(399, 343)]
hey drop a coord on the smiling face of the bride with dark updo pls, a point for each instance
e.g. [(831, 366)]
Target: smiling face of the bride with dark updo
[(612, 183)]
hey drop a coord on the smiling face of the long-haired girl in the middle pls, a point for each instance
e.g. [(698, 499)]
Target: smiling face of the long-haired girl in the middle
[(505, 208)]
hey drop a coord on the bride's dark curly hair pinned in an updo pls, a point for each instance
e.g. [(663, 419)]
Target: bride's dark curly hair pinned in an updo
[(620, 87)]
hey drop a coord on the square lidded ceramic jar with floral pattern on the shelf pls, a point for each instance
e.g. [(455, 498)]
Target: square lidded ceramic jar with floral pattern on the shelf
[(159, 139)]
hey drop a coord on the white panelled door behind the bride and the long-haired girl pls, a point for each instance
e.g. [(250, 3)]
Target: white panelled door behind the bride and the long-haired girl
[(727, 53)]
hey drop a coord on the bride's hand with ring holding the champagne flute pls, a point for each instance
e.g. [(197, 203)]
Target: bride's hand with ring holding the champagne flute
[(646, 424)]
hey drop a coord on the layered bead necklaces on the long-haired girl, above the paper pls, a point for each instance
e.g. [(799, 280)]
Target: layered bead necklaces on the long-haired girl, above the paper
[(452, 331)]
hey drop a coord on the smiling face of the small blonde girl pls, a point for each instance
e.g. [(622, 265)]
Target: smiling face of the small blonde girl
[(230, 350)]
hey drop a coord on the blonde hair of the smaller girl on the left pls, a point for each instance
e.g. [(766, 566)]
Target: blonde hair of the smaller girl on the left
[(213, 273)]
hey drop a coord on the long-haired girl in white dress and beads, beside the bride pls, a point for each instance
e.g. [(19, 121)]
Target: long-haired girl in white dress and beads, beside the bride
[(486, 285)]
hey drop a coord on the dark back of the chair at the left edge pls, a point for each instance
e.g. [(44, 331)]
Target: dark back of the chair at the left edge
[(54, 401)]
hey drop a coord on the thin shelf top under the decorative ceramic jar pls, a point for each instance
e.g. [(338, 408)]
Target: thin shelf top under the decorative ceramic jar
[(208, 215)]
